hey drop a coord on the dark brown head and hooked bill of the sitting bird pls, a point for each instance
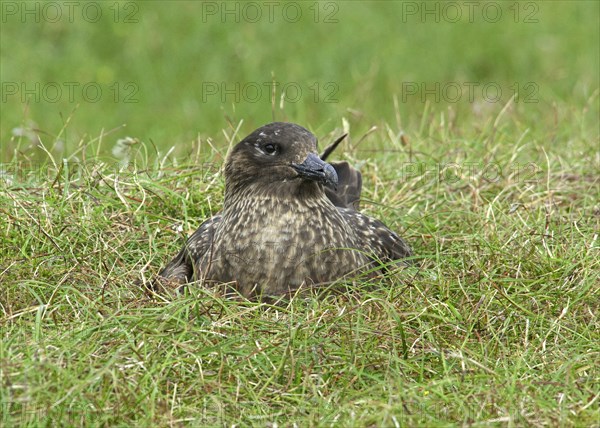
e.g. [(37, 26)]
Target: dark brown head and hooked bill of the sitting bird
[(278, 155)]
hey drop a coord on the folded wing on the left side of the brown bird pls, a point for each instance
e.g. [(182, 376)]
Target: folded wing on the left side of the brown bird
[(181, 269)]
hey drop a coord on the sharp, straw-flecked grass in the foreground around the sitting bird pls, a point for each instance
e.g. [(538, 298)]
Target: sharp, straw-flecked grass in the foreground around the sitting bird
[(498, 325)]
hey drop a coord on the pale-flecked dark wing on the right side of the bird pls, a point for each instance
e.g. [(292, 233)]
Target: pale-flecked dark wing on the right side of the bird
[(374, 237)]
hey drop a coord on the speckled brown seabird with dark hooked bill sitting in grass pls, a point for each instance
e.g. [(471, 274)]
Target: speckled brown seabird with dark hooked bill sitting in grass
[(290, 220)]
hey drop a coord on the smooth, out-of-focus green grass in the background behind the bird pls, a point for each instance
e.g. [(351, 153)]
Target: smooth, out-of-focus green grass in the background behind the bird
[(339, 70)]
